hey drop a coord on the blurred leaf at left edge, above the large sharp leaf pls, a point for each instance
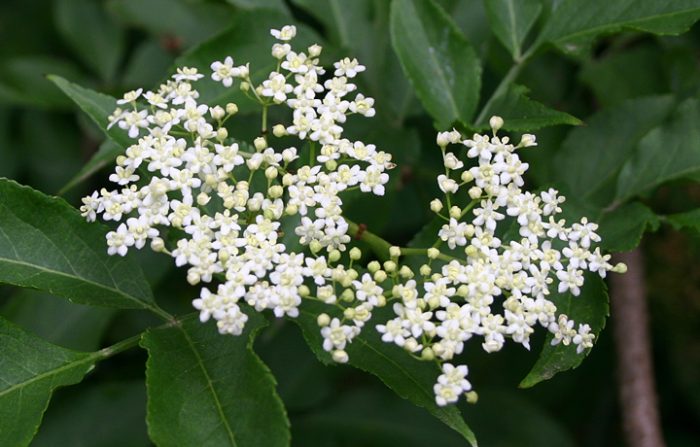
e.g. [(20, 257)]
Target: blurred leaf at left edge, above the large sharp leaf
[(23, 81)]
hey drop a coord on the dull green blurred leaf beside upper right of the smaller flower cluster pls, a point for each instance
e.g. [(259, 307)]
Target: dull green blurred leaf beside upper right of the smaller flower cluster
[(592, 155)]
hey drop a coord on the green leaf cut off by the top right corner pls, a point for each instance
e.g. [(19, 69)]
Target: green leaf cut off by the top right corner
[(573, 24)]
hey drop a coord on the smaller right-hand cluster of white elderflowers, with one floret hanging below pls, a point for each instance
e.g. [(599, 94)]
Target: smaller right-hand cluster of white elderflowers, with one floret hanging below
[(507, 249)]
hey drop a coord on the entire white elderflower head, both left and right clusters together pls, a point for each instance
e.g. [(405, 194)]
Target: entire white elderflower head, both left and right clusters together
[(261, 225)]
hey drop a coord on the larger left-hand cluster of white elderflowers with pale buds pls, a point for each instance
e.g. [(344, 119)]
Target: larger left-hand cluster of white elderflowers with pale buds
[(221, 207)]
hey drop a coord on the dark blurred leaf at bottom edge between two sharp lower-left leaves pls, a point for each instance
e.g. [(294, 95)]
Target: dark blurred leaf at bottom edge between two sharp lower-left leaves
[(110, 414)]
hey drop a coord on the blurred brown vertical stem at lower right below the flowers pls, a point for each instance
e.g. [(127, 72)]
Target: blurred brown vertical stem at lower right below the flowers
[(640, 414)]
